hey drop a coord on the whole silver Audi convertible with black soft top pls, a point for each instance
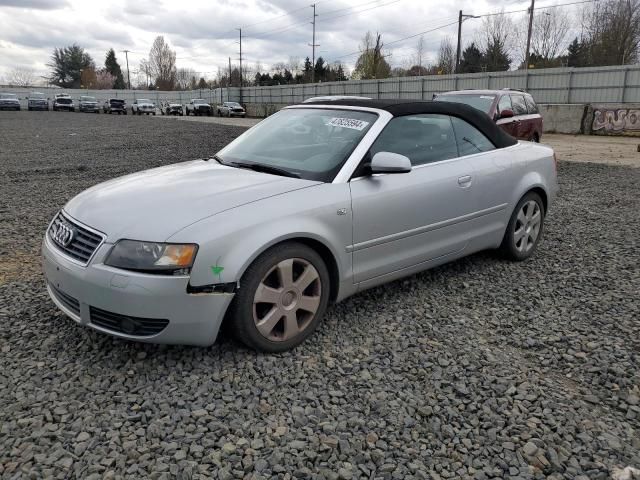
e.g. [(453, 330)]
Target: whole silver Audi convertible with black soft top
[(310, 206)]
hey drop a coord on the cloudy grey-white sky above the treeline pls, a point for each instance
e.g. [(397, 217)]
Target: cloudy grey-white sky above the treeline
[(203, 32)]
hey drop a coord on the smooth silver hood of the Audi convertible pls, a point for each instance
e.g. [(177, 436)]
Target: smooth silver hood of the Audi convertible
[(154, 204)]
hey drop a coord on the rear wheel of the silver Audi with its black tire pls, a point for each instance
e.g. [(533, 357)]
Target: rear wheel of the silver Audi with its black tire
[(523, 232)]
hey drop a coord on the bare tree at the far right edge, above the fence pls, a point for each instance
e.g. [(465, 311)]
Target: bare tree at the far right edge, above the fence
[(612, 31)]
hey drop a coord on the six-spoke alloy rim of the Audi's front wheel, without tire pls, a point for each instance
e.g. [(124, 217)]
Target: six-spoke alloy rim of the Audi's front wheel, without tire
[(287, 299)]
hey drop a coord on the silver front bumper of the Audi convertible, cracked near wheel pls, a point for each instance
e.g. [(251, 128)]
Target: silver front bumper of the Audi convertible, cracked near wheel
[(87, 294)]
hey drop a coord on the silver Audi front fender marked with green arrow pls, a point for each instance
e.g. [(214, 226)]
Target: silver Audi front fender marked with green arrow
[(231, 240)]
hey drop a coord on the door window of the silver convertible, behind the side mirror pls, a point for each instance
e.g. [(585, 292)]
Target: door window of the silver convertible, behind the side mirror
[(423, 138)]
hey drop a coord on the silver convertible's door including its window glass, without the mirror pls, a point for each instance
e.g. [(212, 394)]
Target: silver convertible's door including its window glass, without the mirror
[(403, 221)]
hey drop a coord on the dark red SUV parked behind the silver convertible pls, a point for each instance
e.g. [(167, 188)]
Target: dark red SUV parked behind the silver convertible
[(514, 110)]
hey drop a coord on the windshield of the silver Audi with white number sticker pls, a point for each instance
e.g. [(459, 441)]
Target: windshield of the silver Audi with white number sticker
[(311, 143)]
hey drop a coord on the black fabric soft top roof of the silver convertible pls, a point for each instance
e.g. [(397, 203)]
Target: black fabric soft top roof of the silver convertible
[(399, 108)]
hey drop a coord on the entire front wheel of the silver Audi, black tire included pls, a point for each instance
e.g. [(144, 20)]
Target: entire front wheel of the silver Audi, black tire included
[(247, 316)]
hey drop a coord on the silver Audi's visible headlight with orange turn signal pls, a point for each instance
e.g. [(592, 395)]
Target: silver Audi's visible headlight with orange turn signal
[(151, 257)]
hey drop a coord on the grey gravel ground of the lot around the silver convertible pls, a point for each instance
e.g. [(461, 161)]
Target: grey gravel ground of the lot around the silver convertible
[(478, 369)]
